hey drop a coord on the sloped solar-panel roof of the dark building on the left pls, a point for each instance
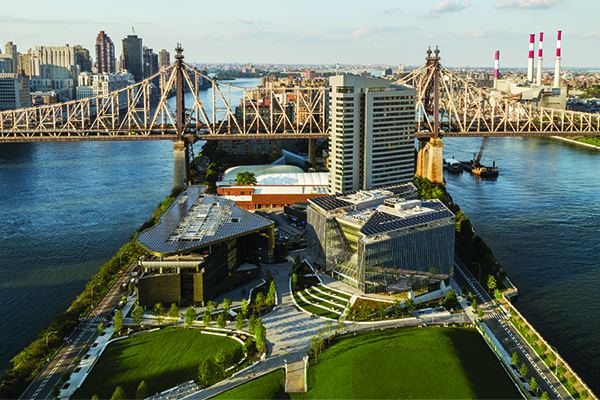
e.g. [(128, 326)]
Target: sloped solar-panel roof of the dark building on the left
[(193, 221)]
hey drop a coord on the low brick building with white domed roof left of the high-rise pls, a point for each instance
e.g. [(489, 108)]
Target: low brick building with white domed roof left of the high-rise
[(276, 186)]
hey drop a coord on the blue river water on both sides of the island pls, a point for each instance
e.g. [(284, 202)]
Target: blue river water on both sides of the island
[(67, 207)]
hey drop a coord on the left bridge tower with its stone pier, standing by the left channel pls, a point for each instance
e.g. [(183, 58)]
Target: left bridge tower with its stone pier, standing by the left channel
[(181, 163)]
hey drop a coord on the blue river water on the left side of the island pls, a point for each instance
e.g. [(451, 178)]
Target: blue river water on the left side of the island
[(66, 208)]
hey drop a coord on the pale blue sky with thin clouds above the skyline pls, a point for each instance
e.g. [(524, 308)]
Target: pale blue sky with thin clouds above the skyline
[(468, 32)]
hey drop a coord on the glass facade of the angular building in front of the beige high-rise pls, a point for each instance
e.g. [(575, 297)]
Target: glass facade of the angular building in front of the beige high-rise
[(416, 258)]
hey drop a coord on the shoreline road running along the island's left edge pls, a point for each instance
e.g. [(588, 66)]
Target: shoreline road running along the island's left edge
[(85, 332)]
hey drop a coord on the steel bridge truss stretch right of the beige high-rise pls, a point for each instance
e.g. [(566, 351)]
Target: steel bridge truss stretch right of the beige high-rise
[(466, 110)]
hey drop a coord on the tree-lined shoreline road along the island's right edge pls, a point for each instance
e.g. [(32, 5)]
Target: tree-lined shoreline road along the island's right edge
[(506, 334)]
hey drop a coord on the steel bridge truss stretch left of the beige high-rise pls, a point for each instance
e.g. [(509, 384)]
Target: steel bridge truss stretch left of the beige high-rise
[(138, 113)]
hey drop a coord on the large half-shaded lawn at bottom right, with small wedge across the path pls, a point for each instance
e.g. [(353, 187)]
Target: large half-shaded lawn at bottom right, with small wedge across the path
[(432, 363)]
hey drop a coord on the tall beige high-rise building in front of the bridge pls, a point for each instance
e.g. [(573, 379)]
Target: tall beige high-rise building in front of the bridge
[(371, 132)]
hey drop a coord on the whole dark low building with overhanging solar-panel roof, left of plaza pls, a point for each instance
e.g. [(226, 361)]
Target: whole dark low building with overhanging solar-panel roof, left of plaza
[(202, 247)]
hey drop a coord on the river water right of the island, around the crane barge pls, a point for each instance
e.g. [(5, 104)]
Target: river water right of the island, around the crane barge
[(541, 217)]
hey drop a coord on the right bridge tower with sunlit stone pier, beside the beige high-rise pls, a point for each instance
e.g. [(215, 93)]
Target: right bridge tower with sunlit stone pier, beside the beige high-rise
[(430, 161)]
